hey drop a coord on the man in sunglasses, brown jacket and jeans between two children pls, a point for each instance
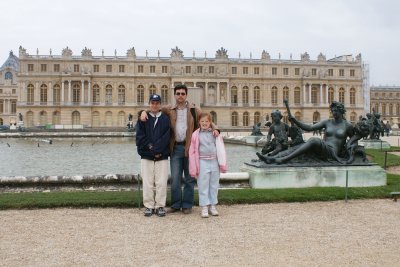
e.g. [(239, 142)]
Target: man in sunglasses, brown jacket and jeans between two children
[(184, 120)]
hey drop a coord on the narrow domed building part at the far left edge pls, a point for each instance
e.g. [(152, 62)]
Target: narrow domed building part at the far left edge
[(8, 90)]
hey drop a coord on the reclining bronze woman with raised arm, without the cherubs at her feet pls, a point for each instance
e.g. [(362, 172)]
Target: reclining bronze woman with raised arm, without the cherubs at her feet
[(338, 146)]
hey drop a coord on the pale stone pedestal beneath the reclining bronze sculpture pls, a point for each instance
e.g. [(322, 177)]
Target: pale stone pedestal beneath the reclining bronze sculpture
[(329, 176)]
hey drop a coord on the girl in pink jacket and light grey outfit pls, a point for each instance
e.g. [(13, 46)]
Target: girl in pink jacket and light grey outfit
[(207, 157)]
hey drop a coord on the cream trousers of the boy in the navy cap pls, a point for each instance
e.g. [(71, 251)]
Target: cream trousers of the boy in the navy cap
[(155, 178)]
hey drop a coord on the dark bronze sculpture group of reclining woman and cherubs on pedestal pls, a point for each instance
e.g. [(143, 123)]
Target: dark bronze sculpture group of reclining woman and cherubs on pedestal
[(338, 146)]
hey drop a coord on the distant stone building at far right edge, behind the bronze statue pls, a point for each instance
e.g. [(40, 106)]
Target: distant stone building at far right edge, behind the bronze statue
[(386, 101)]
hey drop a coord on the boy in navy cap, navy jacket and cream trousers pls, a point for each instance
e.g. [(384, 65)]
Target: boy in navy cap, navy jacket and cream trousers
[(152, 141)]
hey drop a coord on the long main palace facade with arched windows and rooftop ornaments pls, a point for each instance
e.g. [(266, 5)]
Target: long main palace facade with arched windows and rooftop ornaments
[(85, 90)]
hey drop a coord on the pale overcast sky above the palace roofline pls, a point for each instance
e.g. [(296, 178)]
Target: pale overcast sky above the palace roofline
[(285, 27)]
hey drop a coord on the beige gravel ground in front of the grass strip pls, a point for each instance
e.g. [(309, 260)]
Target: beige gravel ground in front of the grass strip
[(357, 233)]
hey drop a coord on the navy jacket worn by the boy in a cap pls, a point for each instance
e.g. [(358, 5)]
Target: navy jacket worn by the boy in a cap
[(152, 140)]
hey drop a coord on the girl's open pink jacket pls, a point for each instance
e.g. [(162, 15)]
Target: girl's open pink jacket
[(194, 156)]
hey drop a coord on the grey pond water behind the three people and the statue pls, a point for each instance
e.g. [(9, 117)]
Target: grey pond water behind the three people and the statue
[(86, 156)]
